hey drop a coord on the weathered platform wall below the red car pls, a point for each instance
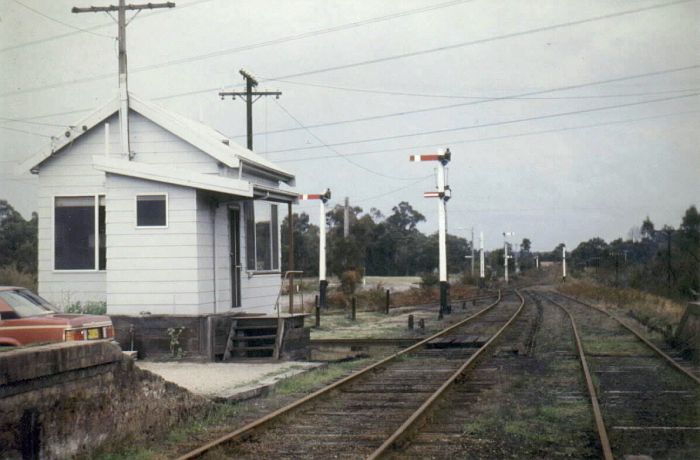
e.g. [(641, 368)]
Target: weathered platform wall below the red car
[(68, 399)]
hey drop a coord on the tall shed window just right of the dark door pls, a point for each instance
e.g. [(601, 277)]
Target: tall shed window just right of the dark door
[(262, 235)]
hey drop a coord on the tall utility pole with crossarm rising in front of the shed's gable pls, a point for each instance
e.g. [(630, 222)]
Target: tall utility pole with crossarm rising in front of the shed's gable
[(123, 80)]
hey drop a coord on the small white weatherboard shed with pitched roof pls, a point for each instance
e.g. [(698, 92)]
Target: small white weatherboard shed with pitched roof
[(188, 224)]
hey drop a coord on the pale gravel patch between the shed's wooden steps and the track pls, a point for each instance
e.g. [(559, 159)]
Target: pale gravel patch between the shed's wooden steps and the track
[(230, 381)]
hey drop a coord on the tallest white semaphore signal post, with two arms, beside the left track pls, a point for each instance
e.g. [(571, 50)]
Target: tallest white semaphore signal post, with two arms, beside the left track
[(443, 193)]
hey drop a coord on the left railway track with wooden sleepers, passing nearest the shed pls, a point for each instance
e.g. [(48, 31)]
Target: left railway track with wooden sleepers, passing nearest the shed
[(372, 411)]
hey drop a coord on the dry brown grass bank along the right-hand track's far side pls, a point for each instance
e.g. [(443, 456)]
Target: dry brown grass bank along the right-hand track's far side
[(657, 313)]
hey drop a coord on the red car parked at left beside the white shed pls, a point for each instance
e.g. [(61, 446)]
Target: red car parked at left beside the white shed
[(27, 318)]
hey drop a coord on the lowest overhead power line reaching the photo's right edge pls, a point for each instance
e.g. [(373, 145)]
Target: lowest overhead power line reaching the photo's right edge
[(493, 138)]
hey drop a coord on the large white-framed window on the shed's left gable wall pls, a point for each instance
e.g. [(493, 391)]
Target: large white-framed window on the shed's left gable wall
[(79, 233)]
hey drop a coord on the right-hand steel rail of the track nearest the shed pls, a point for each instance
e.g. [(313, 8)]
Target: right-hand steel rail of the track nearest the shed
[(410, 422)]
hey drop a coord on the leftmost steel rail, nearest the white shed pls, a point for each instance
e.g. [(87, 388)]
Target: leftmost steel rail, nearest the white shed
[(250, 427)]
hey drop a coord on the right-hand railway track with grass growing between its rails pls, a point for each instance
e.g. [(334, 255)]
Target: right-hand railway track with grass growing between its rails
[(644, 402)]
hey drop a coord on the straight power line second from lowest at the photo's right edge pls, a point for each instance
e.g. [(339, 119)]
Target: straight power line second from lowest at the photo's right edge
[(491, 124)]
